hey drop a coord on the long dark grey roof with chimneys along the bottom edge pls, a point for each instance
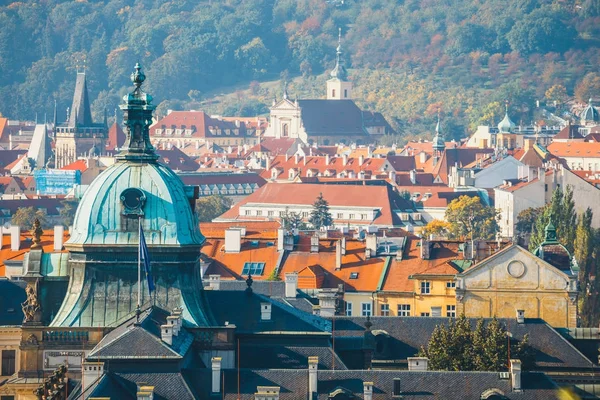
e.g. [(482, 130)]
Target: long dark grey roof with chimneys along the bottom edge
[(414, 385)]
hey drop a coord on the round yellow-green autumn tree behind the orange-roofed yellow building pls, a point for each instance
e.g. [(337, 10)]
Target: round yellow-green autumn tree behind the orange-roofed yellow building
[(469, 218)]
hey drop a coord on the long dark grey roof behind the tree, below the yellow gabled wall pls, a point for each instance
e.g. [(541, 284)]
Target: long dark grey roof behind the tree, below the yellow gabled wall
[(408, 334)]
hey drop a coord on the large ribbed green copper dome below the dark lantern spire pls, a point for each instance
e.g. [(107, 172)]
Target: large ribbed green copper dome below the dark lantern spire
[(104, 218)]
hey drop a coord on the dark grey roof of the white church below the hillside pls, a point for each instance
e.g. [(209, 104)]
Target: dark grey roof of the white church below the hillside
[(332, 118)]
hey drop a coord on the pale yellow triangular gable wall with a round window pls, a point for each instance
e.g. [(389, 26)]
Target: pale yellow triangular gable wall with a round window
[(539, 289)]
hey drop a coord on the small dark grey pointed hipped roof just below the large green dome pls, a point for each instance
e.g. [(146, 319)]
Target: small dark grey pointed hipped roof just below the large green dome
[(142, 341)]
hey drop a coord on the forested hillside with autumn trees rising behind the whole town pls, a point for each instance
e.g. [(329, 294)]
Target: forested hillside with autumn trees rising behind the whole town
[(407, 58)]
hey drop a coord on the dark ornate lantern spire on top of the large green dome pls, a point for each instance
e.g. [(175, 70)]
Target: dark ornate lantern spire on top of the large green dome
[(137, 117)]
